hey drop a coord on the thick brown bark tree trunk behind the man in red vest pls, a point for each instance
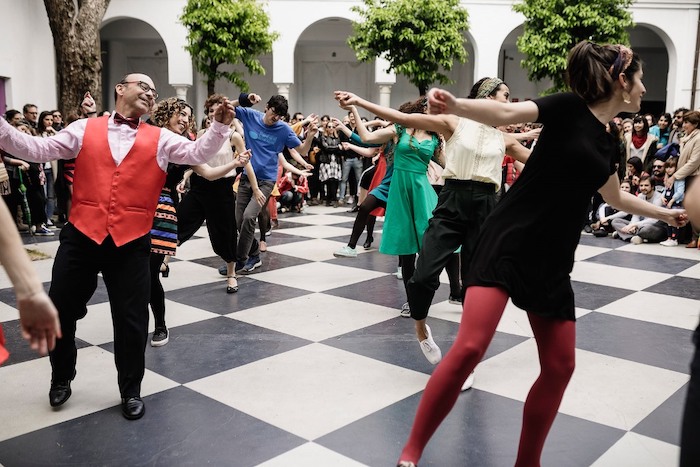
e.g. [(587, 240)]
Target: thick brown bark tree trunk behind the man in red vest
[(75, 26)]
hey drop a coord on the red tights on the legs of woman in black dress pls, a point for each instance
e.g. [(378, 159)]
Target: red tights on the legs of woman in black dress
[(483, 308)]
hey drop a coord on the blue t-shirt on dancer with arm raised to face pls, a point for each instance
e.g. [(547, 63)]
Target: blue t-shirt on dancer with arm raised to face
[(265, 141)]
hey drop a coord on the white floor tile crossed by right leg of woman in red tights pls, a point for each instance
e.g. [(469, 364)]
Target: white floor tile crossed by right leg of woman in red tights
[(604, 389)]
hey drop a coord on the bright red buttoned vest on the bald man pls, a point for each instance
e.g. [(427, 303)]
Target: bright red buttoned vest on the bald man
[(116, 200)]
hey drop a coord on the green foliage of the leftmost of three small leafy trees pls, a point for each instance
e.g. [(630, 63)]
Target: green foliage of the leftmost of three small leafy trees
[(227, 31)]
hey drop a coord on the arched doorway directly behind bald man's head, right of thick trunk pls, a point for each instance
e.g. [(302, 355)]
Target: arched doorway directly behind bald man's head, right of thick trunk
[(130, 45)]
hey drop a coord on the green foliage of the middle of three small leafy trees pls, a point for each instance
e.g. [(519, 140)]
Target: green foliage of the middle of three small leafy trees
[(418, 37)]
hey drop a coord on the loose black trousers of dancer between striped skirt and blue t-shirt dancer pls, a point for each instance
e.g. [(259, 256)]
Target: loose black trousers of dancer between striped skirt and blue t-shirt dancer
[(214, 202)]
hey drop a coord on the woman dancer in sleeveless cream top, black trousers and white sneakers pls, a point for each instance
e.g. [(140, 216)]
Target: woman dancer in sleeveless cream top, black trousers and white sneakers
[(474, 153)]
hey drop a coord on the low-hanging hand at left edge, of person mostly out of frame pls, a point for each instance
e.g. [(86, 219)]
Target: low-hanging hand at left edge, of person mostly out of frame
[(39, 321)]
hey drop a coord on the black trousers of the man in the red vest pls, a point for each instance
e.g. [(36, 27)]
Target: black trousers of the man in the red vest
[(125, 271)]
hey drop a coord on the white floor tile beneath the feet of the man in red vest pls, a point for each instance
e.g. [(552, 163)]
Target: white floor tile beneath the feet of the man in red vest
[(26, 403)]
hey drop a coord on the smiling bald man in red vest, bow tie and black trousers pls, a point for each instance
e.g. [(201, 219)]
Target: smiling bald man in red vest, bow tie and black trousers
[(120, 169)]
